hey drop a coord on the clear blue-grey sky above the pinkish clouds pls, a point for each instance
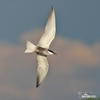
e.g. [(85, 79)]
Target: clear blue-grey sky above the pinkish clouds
[(78, 19)]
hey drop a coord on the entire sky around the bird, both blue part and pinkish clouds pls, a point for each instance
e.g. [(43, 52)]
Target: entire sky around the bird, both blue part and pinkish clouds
[(77, 43)]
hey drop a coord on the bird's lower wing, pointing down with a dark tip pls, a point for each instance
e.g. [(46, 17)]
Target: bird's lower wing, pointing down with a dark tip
[(42, 69)]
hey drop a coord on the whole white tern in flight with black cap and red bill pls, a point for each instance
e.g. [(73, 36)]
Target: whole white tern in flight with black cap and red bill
[(42, 49)]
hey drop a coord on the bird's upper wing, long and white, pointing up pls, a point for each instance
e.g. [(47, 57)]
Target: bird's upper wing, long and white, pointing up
[(49, 32)]
